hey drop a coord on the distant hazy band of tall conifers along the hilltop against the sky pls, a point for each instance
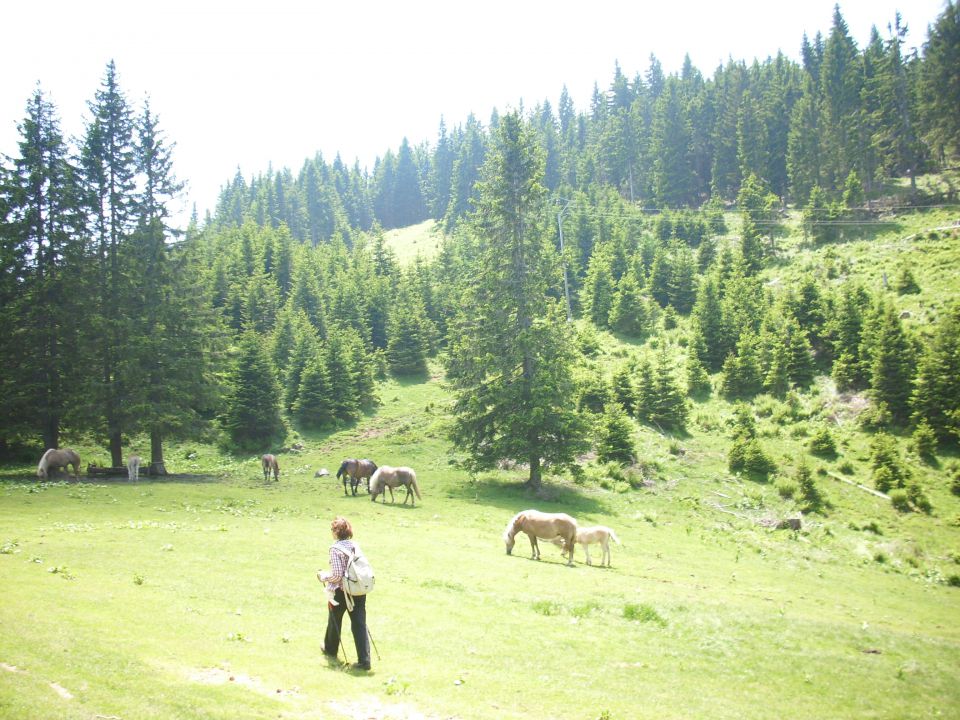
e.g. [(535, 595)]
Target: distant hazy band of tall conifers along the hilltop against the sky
[(665, 141)]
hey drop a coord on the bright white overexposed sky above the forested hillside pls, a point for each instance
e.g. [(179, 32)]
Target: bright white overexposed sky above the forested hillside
[(245, 83)]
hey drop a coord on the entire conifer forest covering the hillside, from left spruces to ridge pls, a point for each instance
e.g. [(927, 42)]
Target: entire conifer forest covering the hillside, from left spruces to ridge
[(661, 215)]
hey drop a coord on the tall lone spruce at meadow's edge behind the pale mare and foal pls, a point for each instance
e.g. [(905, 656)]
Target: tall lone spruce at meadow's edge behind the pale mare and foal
[(510, 366)]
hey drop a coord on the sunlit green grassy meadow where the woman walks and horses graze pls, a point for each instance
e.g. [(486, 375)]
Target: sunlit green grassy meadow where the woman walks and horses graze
[(195, 596)]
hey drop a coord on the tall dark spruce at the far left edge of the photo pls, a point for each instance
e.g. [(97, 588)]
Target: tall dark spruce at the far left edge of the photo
[(43, 308)]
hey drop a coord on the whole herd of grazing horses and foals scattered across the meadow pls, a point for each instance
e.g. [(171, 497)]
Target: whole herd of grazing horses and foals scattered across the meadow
[(558, 528)]
